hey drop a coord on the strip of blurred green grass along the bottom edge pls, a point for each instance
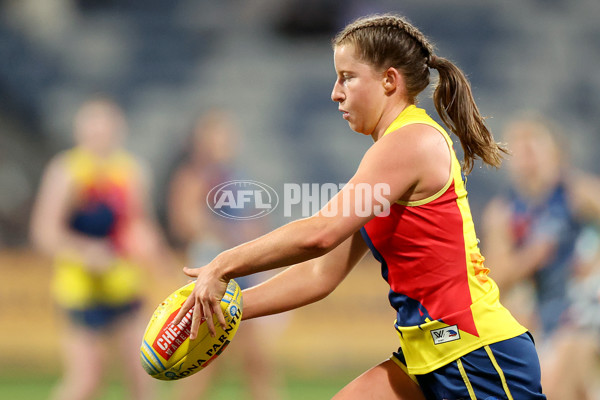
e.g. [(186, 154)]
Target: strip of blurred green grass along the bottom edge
[(39, 387)]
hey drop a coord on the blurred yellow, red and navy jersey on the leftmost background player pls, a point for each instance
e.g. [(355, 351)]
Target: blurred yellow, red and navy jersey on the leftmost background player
[(104, 206)]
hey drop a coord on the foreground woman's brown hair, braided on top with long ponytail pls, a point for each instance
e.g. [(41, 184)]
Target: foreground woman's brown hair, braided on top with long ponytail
[(389, 40)]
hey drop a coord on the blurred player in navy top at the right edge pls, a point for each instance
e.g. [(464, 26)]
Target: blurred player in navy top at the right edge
[(531, 236)]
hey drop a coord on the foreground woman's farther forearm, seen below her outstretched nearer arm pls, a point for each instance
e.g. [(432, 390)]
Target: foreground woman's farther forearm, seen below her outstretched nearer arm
[(304, 283)]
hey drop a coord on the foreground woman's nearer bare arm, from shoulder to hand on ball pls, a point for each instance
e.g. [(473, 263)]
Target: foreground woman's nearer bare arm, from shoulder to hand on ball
[(398, 163)]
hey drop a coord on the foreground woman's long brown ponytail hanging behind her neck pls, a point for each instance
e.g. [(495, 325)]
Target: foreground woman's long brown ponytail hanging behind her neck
[(456, 107)]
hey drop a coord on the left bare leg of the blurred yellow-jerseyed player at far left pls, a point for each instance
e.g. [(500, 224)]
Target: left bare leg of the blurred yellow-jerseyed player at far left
[(84, 362)]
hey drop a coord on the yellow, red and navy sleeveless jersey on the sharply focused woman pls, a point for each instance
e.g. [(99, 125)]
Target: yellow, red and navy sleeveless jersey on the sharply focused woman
[(446, 304)]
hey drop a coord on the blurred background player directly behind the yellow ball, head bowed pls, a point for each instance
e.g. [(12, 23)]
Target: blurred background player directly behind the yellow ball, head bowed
[(209, 162)]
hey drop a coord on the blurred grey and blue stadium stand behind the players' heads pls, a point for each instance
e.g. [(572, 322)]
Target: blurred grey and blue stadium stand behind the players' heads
[(270, 61)]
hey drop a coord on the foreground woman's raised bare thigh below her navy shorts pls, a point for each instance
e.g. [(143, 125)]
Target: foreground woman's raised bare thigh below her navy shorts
[(384, 381)]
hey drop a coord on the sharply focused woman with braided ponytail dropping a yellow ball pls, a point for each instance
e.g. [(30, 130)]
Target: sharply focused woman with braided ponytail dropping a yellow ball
[(456, 340)]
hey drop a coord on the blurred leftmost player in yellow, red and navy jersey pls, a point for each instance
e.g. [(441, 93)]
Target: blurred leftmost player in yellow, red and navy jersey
[(93, 217)]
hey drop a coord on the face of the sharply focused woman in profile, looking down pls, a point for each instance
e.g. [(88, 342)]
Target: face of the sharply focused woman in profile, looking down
[(359, 91)]
